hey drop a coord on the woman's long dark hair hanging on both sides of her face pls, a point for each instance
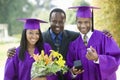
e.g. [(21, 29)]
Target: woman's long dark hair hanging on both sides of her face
[(23, 44)]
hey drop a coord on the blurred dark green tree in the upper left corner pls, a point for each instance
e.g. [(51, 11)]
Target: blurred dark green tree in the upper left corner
[(11, 10)]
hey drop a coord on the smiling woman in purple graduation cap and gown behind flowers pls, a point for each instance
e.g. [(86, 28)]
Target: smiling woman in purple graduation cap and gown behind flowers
[(19, 66)]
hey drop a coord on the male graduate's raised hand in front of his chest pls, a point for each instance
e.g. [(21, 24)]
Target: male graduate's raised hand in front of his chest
[(92, 54)]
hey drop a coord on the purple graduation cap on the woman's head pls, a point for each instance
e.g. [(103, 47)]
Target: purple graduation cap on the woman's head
[(31, 23)]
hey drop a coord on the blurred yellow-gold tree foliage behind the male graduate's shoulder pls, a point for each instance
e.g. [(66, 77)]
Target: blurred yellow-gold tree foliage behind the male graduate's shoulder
[(108, 17)]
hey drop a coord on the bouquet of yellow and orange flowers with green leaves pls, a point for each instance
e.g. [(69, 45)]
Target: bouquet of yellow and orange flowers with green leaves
[(45, 65)]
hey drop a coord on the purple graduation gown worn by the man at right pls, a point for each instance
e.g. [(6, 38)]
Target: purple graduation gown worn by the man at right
[(109, 57)]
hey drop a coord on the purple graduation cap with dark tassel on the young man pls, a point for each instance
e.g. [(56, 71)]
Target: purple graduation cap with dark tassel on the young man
[(85, 12)]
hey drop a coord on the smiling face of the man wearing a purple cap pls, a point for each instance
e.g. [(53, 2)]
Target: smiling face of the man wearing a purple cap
[(84, 25)]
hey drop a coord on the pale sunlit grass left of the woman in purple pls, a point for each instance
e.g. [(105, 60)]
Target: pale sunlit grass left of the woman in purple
[(4, 46)]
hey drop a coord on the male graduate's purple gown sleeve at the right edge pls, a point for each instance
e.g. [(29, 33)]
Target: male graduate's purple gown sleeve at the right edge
[(109, 60)]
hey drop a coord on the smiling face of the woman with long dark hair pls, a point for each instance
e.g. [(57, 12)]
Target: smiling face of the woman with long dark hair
[(32, 36)]
